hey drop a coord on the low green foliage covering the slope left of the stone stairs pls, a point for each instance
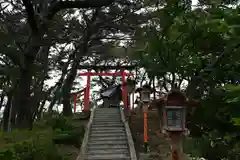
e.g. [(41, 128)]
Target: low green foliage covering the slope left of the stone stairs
[(41, 143)]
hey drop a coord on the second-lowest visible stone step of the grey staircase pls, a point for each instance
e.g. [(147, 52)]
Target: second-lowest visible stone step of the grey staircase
[(110, 150)]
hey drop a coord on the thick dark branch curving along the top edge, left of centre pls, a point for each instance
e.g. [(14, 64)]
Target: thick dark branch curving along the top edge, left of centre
[(76, 4)]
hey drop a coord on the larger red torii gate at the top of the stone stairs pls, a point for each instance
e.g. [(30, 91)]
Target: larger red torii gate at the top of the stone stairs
[(123, 74)]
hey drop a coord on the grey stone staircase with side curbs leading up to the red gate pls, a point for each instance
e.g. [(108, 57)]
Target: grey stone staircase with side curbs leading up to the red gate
[(107, 137)]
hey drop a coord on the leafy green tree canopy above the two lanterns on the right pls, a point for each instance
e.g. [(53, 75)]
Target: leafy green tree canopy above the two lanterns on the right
[(202, 42)]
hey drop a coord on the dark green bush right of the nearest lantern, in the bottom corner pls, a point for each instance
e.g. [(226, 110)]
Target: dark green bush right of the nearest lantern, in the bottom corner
[(215, 126)]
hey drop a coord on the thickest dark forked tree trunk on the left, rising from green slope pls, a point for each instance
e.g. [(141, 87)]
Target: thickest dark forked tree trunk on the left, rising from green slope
[(22, 97)]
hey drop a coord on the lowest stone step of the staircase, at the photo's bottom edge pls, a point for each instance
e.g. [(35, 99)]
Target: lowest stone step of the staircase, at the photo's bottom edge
[(108, 157)]
